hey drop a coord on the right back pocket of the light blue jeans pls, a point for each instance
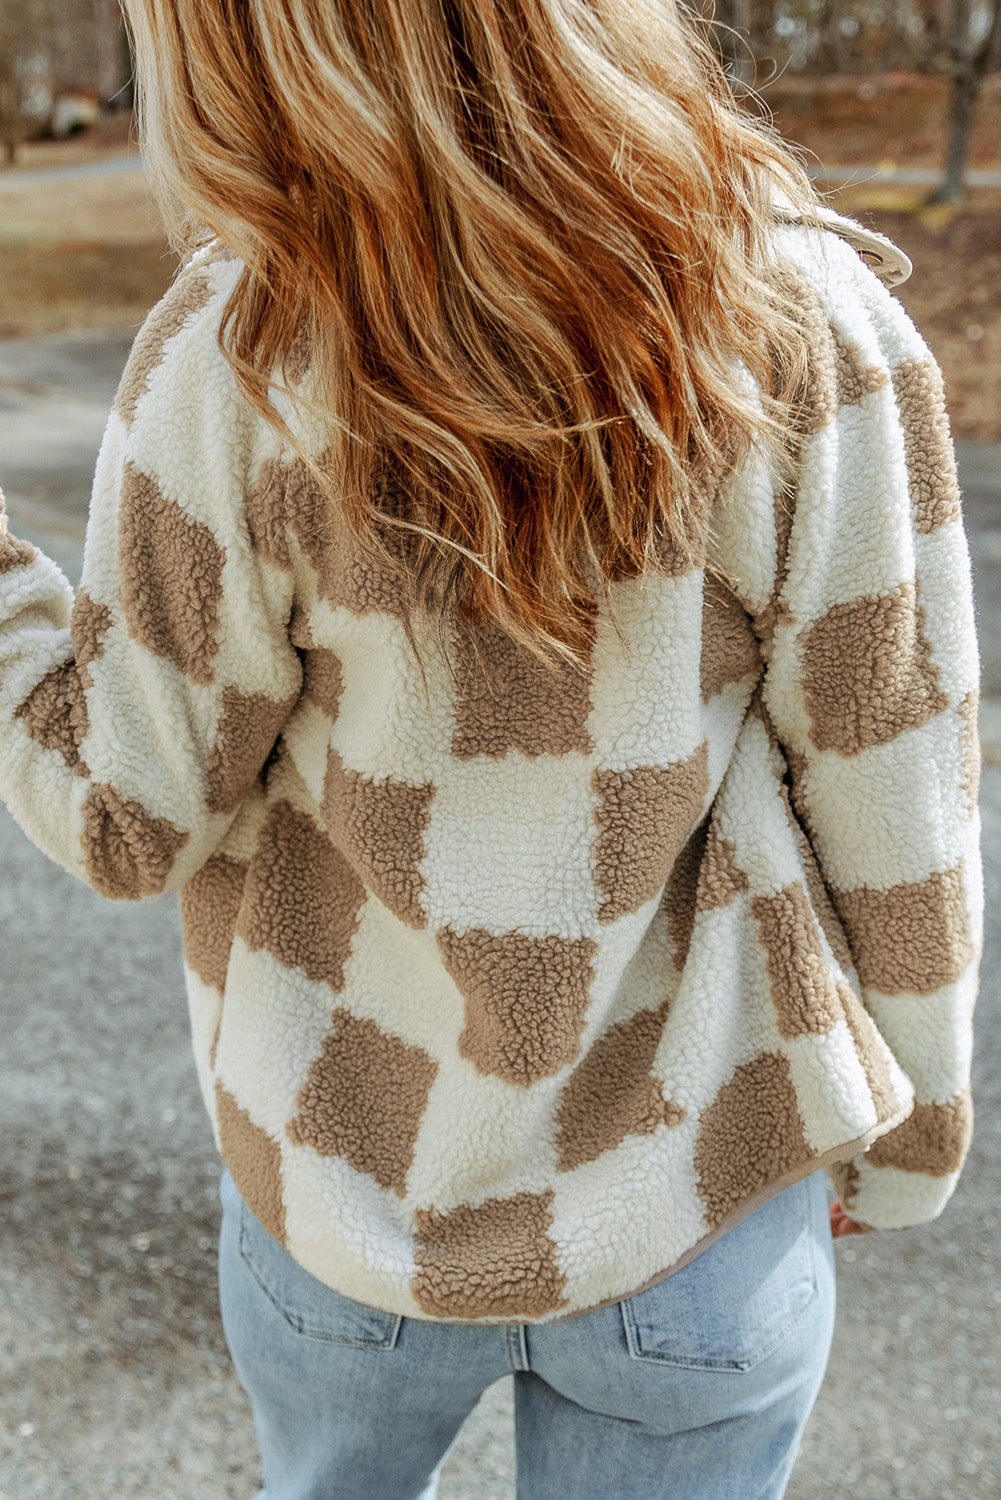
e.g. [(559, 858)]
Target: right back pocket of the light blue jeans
[(741, 1300)]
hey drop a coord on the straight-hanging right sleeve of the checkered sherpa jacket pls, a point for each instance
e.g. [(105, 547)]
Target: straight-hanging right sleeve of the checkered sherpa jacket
[(873, 688)]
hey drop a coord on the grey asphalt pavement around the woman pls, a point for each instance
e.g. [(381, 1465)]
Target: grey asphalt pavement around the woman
[(115, 1378)]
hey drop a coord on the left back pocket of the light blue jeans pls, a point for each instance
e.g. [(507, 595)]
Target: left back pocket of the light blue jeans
[(308, 1306)]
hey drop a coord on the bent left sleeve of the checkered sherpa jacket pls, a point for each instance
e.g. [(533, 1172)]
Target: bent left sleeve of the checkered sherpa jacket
[(137, 715)]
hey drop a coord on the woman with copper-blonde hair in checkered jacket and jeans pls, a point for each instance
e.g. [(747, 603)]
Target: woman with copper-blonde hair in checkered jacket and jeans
[(528, 617)]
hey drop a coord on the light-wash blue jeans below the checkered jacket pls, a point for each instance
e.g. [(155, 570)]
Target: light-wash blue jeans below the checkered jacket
[(697, 1390)]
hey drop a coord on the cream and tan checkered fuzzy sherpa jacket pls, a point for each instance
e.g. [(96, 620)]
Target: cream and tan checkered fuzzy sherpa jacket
[(513, 998)]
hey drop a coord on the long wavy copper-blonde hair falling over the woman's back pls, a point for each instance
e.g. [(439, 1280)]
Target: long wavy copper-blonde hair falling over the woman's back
[(525, 247)]
